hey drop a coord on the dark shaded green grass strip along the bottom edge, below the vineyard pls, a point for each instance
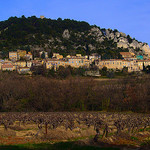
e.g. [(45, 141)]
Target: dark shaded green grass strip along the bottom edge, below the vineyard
[(56, 146)]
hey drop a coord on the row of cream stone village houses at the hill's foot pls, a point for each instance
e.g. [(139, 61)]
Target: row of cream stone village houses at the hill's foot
[(21, 61)]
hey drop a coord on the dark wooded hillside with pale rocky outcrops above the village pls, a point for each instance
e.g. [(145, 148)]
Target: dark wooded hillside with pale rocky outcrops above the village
[(66, 37)]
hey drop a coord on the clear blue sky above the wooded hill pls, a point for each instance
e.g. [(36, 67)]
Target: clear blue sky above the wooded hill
[(129, 16)]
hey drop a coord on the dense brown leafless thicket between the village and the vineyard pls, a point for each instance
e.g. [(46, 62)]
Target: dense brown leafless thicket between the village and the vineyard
[(18, 93)]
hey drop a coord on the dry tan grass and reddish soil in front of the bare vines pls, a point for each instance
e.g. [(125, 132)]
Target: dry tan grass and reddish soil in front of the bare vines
[(27, 134)]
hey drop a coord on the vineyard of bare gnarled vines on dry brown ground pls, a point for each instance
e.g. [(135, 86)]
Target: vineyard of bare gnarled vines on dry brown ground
[(111, 128)]
